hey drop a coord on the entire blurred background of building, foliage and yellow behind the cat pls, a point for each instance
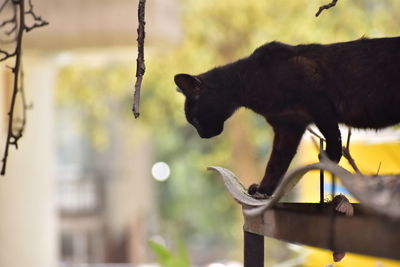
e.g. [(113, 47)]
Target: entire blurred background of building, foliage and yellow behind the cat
[(92, 186)]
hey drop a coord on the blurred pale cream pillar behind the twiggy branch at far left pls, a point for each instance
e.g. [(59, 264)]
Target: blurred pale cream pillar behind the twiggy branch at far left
[(27, 192)]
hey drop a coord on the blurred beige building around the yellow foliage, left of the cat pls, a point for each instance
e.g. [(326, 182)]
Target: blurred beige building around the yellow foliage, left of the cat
[(55, 210)]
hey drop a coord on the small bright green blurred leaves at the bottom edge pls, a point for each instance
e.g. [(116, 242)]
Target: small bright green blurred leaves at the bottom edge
[(166, 258)]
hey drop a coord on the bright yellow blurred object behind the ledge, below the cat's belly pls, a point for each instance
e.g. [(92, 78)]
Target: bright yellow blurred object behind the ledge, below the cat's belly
[(371, 155)]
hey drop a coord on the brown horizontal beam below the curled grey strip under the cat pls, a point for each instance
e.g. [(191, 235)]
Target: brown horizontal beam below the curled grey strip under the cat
[(319, 226)]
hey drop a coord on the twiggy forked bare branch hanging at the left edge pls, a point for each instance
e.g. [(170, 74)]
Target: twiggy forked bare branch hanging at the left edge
[(17, 26)]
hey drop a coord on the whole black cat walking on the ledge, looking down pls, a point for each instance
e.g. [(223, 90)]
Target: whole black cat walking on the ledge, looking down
[(356, 83)]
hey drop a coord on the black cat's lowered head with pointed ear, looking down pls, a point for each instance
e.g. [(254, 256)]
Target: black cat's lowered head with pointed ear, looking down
[(204, 107)]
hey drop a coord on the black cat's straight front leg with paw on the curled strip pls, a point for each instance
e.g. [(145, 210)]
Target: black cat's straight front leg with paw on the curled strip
[(286, 140)]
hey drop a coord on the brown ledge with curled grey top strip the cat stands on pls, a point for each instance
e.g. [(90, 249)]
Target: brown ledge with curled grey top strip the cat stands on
[(374, 229)]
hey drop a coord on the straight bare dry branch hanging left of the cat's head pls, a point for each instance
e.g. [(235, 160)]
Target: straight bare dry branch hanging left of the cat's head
[(140, 66)]
